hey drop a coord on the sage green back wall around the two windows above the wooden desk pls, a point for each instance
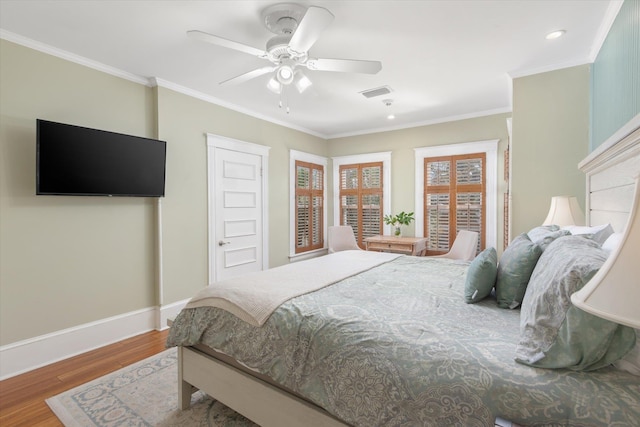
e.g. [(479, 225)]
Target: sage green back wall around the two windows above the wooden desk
[(401, 143)]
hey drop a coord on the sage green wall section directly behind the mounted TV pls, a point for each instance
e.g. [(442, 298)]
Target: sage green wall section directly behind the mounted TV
[(65, 261)]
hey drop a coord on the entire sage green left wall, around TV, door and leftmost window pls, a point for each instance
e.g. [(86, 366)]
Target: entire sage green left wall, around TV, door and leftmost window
[(67, 261)]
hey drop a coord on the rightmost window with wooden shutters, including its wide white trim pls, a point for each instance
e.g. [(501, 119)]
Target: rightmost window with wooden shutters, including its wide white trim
[(433, 207)]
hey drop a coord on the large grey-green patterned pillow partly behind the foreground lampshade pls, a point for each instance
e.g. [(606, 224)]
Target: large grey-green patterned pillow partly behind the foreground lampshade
[(554, 333)]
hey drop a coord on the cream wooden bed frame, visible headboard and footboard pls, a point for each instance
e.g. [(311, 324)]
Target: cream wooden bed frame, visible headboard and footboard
[(610, 172)]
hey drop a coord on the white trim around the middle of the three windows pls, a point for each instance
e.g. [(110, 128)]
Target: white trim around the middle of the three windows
[(385, 158)]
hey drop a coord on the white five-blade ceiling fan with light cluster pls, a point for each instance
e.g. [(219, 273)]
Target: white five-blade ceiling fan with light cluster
[(297, 28)]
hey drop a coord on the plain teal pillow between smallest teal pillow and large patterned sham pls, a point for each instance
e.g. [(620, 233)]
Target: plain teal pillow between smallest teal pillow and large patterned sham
[(514, 270)]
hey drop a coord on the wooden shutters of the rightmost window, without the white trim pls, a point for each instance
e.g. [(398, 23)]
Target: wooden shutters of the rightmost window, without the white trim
[(454, 199)]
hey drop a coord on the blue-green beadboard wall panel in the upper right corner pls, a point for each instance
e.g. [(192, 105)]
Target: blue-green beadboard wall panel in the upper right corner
[(615, 79)]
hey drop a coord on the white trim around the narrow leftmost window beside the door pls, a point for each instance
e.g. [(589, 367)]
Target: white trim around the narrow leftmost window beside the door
[(294, 156)]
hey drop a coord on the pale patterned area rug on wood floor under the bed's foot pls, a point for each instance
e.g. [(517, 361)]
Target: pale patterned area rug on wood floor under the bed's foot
[(142, 394)]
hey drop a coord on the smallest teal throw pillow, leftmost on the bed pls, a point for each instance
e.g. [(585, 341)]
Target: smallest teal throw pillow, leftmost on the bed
[(481, 276)]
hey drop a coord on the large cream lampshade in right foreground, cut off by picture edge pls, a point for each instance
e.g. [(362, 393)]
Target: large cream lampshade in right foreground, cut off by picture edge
[(614, 292)]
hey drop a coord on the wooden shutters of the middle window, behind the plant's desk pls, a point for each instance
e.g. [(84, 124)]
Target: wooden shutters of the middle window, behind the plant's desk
[(361, 199)]
